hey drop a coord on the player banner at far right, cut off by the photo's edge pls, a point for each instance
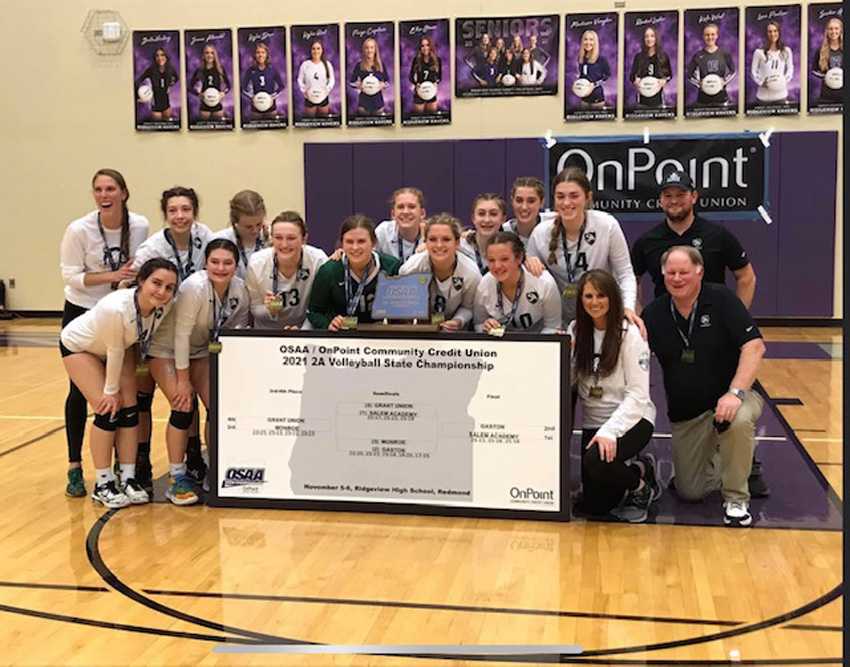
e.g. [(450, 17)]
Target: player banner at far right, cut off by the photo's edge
[(826, 55)]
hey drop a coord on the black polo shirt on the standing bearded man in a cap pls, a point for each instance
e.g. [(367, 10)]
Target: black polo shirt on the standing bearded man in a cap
[(719, 248)]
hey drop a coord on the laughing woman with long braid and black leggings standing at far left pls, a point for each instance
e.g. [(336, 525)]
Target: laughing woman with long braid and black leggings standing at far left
[(96, 254)]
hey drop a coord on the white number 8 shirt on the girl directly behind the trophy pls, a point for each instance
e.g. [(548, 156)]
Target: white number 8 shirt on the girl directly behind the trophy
[(455, 296)]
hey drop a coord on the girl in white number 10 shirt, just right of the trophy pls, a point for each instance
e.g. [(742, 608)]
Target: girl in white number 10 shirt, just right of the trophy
[(511, 298)]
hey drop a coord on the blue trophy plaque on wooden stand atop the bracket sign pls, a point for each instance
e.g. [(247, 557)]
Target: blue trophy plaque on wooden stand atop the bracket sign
[(402, 303)]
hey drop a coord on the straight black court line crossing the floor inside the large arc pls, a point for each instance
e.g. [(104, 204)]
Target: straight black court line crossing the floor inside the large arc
[(441, 607)]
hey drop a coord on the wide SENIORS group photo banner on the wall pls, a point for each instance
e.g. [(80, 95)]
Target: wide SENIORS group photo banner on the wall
[(506, 56)]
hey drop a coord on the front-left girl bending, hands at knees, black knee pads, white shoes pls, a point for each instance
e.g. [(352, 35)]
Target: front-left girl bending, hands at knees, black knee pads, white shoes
[(94, 350)]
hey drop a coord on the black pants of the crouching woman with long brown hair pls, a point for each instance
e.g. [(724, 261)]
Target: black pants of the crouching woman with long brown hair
[(605, 483)]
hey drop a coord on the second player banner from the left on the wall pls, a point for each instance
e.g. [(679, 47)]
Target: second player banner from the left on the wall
[(209, 77)]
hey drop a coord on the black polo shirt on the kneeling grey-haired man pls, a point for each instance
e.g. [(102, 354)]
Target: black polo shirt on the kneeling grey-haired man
[(721, 326)]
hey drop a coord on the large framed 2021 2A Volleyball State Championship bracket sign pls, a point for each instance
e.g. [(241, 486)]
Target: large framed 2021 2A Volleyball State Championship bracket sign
[(419, 423)]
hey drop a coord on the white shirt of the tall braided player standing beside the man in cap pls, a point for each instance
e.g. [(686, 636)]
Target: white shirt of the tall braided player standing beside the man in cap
[(602, 246)]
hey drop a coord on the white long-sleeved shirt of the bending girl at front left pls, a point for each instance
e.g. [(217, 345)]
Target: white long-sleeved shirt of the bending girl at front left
[(108, 329)]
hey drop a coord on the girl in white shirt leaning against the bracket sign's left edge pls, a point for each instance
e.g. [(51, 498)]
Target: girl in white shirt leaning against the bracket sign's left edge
[(209, 301)]
